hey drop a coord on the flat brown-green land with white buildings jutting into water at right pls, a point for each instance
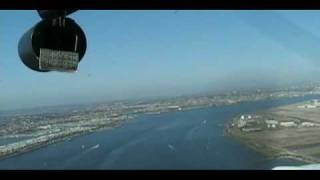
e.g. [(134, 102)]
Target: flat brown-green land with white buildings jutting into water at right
[(298, 142)]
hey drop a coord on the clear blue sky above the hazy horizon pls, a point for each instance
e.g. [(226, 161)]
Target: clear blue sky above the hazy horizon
[(133, 54)]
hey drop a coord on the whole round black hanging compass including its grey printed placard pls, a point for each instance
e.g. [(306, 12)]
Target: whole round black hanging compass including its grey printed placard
[(53, 45)]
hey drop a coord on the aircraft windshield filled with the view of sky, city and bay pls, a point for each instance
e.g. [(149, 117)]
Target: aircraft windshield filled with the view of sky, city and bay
[(161, 89)]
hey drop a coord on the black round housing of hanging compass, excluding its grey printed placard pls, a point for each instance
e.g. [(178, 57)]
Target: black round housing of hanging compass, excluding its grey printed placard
[(59, 35)]
